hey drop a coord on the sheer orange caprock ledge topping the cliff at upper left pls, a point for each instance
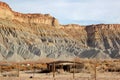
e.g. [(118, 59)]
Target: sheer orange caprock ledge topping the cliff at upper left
[(7, 13)]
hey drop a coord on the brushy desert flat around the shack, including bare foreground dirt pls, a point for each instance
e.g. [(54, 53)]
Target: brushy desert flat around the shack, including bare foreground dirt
[(105, 70)]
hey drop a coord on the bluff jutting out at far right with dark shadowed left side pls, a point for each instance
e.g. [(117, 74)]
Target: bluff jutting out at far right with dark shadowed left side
[(105, 37)]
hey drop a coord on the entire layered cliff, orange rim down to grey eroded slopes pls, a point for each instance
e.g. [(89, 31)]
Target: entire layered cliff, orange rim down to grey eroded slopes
[(35, 36)]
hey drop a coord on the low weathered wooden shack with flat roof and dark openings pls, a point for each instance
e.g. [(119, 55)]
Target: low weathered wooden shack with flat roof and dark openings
[(65, 66)]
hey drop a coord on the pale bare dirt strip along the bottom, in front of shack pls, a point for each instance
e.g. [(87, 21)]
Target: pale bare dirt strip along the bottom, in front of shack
[(64, 76)]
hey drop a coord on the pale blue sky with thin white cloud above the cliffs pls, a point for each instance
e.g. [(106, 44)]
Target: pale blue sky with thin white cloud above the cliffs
[(81, 12)]
